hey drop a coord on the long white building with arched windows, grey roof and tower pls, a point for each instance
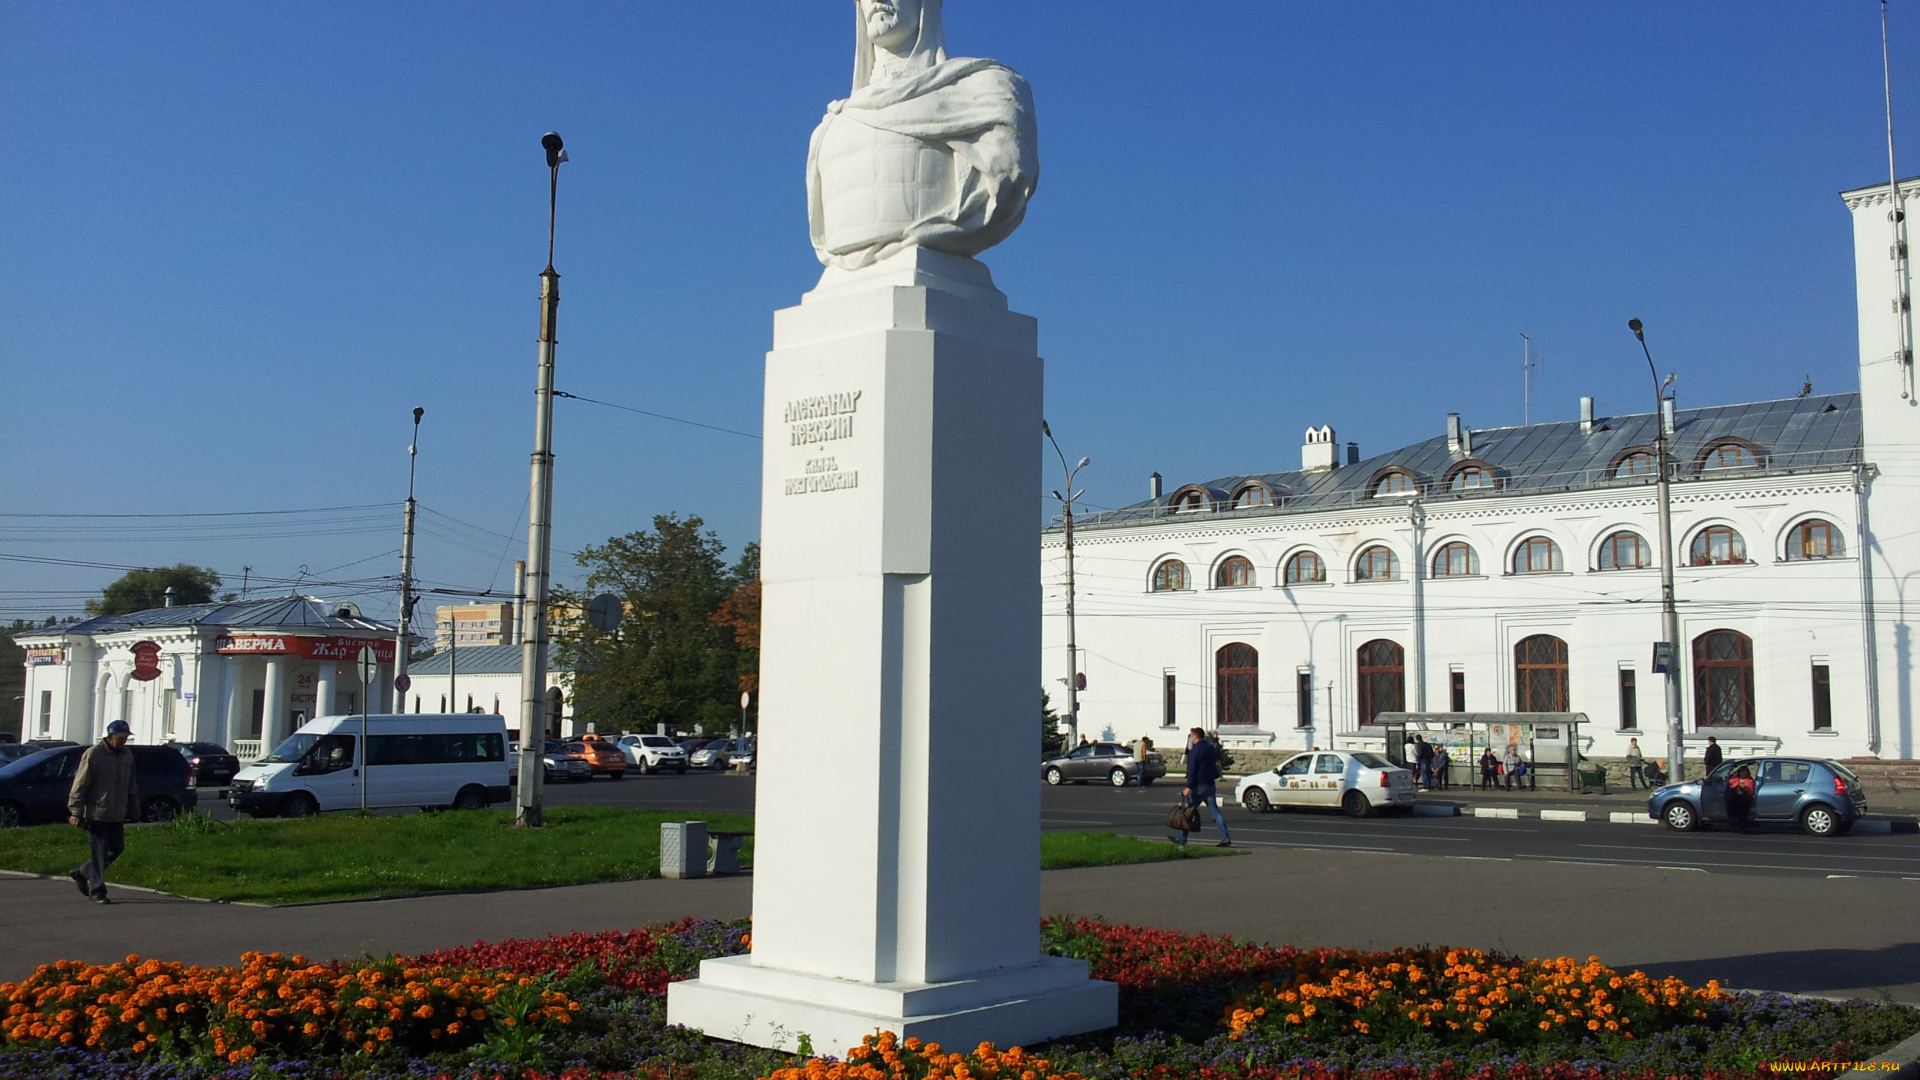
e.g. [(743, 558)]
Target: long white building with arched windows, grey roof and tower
[(1518, 570)]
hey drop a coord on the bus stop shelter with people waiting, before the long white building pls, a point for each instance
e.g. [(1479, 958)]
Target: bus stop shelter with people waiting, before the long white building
[(1547, 743)]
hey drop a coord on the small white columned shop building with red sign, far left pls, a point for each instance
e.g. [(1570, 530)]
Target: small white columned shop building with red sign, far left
[(243, 675)]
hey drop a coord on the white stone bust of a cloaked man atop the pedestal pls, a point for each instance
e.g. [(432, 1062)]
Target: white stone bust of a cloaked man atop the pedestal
[(926, 151)]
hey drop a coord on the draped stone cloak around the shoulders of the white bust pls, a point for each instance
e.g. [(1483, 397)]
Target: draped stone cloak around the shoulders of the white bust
[(982, 112)]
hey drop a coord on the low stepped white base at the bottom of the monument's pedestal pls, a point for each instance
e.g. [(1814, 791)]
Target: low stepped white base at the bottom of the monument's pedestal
[(773, 1008)]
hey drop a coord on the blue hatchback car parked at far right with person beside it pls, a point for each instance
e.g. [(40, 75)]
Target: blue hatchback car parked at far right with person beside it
[(1819, 795)]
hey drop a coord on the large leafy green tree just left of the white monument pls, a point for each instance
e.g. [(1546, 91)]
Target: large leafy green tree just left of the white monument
[(669, 660)]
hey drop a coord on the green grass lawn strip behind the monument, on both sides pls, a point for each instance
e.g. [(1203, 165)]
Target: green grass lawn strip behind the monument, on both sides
[(350, 856)]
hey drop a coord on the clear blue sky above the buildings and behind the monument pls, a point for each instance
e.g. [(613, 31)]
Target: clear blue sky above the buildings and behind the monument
[(241, 243)]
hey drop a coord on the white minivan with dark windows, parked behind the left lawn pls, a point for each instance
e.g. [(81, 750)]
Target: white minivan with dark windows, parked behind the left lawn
[(414, 760)]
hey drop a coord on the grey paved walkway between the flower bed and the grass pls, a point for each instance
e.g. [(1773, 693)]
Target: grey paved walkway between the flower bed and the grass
[(1852, 937)]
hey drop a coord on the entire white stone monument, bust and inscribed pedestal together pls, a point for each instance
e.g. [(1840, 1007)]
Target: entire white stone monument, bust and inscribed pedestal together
[(898, 858)]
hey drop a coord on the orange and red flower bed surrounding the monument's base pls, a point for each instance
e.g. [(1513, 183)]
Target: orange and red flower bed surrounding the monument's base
[(592, 1008)]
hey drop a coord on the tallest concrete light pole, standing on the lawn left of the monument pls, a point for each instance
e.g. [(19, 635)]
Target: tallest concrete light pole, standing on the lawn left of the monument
[(540, 526)]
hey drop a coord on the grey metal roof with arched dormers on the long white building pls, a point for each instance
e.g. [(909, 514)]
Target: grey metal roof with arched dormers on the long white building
[(1787, 437)]
